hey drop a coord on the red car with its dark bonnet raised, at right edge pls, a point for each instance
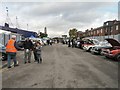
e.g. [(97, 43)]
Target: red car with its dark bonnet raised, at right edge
[(114, 51)]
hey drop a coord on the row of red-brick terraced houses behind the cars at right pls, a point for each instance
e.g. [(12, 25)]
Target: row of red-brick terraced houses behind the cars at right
[(109, 29)]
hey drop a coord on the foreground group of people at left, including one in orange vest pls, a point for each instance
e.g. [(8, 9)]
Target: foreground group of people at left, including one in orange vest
[(28, 47)]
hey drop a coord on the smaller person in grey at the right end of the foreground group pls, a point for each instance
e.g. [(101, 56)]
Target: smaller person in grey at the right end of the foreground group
[(37, 51)]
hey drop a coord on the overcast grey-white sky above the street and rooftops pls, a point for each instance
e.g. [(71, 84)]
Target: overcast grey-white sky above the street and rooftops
[(59, 17)]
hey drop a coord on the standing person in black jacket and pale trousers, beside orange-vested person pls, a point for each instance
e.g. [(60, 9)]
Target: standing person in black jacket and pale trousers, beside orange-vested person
[(28, 47)]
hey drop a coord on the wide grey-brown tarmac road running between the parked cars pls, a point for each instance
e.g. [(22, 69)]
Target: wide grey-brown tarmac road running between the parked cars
[(63, 67)]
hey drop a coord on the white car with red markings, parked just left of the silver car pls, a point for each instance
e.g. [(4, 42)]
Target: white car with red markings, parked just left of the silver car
[(89, 43)]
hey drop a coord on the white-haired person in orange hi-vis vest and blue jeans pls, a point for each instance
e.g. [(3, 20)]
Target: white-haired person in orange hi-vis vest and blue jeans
[(11, 50)]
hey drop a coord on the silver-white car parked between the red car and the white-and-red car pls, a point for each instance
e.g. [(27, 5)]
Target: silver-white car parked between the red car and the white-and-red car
[(97, 49)]
